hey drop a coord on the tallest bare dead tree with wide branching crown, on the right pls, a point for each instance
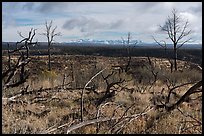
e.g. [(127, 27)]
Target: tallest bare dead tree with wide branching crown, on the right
[(177, 32)]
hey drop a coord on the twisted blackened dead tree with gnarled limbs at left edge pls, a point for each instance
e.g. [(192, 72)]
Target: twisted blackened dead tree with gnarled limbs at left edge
[(16, 72)]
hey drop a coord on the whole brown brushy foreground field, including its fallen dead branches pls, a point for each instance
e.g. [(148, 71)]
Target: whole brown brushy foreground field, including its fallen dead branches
[(140, 100)]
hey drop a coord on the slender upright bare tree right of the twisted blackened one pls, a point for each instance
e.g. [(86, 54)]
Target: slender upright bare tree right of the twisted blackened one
[(50, 34)]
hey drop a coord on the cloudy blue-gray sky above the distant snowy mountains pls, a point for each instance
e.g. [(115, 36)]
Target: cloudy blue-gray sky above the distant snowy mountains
[(97, 20)]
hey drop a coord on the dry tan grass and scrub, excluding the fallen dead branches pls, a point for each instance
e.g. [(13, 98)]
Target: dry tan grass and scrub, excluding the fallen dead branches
[(63, 105)]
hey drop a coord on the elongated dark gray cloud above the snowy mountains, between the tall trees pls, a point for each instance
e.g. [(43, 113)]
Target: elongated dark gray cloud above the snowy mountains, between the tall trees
[(85, 24)]
